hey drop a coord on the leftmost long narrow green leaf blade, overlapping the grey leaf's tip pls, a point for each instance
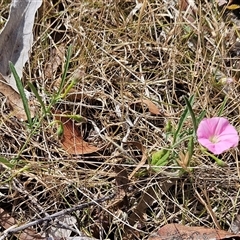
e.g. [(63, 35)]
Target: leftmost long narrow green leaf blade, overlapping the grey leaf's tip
[(22, 93)]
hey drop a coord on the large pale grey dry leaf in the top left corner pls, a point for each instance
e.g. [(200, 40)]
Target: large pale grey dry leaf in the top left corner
[(16, 38)]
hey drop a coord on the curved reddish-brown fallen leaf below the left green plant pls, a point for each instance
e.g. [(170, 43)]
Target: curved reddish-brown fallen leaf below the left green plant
[(72, 141)]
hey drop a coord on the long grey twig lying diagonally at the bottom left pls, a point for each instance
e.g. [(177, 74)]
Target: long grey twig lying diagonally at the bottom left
[(55, 215)]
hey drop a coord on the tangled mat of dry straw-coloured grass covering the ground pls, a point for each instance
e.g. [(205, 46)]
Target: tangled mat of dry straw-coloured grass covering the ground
[(155, 54)]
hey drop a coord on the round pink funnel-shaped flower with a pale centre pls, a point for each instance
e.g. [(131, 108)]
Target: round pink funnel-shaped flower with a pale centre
[(217, 134)]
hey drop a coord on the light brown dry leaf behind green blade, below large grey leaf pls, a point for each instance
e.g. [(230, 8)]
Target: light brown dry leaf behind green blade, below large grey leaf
[(14, 100)]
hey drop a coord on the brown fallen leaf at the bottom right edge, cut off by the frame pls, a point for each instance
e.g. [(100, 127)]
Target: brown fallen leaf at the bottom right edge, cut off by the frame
[(178, 231)]
